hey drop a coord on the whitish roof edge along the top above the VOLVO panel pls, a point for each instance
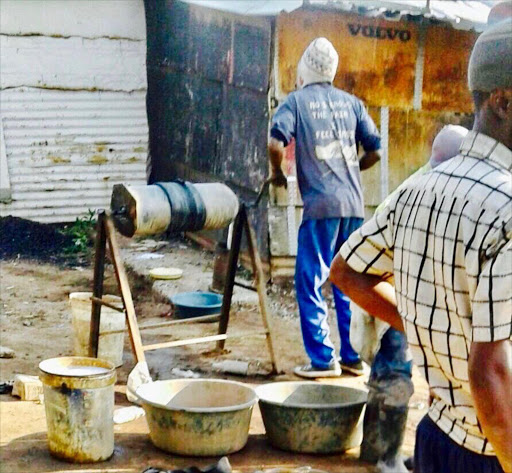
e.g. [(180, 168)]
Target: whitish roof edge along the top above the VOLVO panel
[(462, 14)]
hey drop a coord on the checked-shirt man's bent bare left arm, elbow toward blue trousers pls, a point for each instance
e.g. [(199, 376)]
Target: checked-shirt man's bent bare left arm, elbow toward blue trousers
[(371, 293)]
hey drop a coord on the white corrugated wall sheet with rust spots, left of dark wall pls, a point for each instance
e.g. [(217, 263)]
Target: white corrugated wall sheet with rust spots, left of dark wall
[(66, 149)]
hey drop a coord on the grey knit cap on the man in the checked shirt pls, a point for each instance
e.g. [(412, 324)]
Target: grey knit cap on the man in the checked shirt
[(490, 65)]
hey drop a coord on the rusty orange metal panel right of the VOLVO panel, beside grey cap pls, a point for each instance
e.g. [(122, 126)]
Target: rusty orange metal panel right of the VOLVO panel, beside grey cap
[(447, 54)]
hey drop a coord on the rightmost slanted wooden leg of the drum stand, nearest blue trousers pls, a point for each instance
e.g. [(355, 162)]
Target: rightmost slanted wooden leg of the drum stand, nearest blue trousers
[(260, 286)]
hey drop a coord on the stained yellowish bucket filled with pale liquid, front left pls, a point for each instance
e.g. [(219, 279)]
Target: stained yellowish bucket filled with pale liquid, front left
[(79, 405)]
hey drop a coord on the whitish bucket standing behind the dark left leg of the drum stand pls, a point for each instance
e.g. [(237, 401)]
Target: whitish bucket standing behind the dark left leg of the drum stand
[(110, 345)]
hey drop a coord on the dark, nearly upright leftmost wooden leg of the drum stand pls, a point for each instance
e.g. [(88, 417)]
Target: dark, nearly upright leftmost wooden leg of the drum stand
[(97, 290)]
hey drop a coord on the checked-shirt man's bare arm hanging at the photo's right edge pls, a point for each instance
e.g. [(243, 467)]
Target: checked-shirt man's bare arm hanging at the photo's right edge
[(490, 379)]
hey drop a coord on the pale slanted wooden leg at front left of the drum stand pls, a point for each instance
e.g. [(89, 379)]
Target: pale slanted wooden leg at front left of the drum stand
[(126, 295)]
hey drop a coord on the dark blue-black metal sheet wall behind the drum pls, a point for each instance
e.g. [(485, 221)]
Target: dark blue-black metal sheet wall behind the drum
[(207, 100)]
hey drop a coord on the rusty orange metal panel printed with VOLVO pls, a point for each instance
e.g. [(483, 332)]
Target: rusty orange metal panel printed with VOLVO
[(377, 57)]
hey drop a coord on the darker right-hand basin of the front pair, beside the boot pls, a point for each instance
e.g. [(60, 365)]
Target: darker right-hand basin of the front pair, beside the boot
[(309, 417)]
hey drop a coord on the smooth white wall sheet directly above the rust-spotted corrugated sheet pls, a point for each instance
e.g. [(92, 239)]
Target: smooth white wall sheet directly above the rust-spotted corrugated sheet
[(72, 63)]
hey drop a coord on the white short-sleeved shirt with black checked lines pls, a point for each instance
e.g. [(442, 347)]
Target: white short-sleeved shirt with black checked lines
[(447, 240)]
